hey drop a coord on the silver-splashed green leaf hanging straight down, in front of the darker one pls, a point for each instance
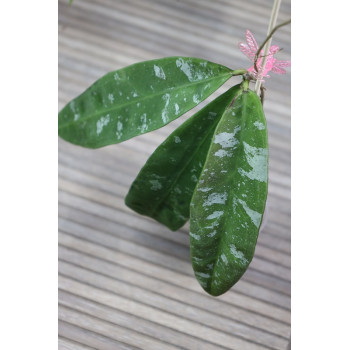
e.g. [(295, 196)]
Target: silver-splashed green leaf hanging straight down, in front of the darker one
[(229, 200)]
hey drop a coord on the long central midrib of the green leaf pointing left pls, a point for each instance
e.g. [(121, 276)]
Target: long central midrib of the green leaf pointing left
[(136, 100)]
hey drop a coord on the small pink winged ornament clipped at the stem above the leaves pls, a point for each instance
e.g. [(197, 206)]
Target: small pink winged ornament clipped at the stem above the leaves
[(272, 63)]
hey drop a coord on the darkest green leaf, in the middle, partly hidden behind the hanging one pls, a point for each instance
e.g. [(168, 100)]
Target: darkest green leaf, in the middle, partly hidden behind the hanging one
[(164, 187)]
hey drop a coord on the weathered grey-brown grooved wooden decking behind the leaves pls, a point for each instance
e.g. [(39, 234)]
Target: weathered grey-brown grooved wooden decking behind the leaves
[(126, 282)]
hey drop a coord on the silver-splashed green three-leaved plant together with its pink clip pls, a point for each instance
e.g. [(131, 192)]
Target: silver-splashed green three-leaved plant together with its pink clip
[(212, 170)]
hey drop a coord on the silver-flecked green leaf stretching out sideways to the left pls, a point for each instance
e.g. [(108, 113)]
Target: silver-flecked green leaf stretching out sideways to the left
[(138, 99)]
